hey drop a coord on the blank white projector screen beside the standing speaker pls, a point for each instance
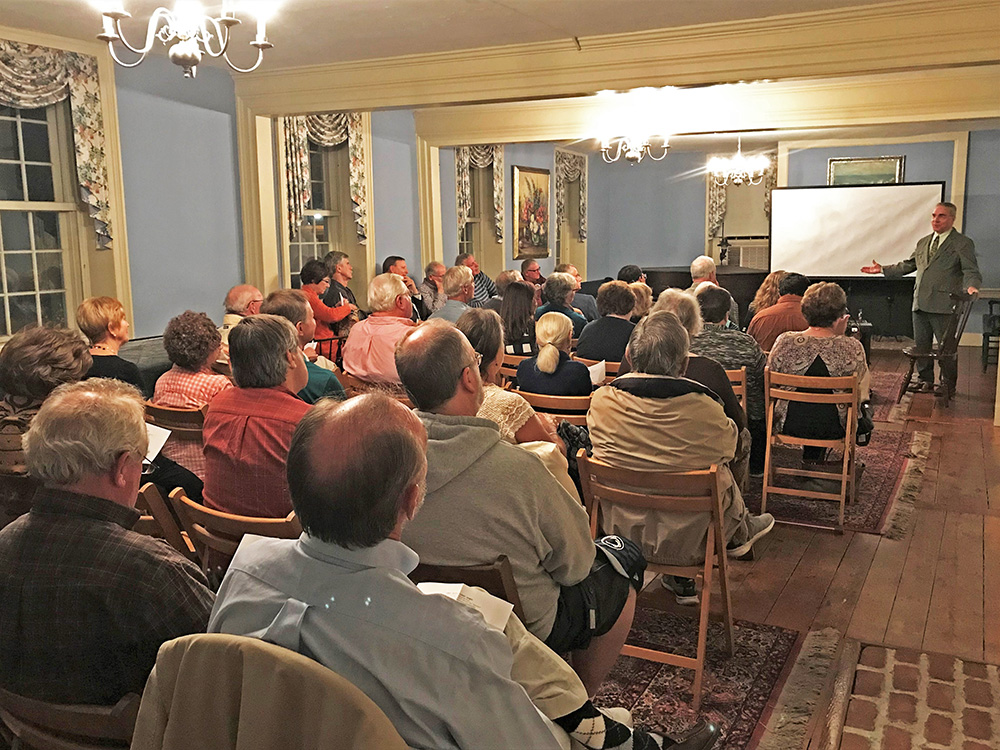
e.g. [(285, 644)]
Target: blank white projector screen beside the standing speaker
[(834, 231)]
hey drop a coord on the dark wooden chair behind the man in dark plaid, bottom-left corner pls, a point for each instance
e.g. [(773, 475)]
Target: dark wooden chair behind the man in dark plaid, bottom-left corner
[(53, 726)]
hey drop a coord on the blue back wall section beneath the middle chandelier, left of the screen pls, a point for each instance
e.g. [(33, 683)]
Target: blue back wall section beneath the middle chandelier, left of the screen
[(650, 214)]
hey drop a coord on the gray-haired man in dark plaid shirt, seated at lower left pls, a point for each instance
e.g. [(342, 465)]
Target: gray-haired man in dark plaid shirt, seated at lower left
[(86, 601)]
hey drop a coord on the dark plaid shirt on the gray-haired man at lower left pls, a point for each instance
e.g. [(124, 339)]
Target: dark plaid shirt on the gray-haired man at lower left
[(85, 603)]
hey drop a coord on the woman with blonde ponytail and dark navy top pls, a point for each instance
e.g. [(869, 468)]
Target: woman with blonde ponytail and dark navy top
[(551, 371)]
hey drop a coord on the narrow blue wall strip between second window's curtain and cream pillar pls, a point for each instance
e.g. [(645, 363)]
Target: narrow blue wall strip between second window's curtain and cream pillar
[(394, 202)]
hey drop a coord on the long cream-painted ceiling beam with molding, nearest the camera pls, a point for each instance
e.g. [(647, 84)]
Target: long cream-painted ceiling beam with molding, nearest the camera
[(902, 35)]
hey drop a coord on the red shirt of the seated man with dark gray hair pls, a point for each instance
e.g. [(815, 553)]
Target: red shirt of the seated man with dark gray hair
[(247, 435)]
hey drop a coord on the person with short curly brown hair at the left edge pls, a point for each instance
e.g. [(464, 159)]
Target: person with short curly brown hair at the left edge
[(33, 363)]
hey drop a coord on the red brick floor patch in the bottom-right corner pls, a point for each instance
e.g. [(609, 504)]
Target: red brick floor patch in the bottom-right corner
[(905, 699)]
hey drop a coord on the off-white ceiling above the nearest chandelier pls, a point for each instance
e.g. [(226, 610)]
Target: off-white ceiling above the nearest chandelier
[(309, 32)]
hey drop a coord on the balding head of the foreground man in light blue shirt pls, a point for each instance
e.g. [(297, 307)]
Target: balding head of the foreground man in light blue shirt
[(351, 466)]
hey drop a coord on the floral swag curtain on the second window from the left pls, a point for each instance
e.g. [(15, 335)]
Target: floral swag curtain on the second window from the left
[(330, 129)]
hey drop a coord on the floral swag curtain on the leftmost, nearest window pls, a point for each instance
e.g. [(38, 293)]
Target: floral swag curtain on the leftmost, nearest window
[(33, 77)]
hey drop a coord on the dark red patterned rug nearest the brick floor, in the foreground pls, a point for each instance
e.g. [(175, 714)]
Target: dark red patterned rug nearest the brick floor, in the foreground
[(738, 689)]
